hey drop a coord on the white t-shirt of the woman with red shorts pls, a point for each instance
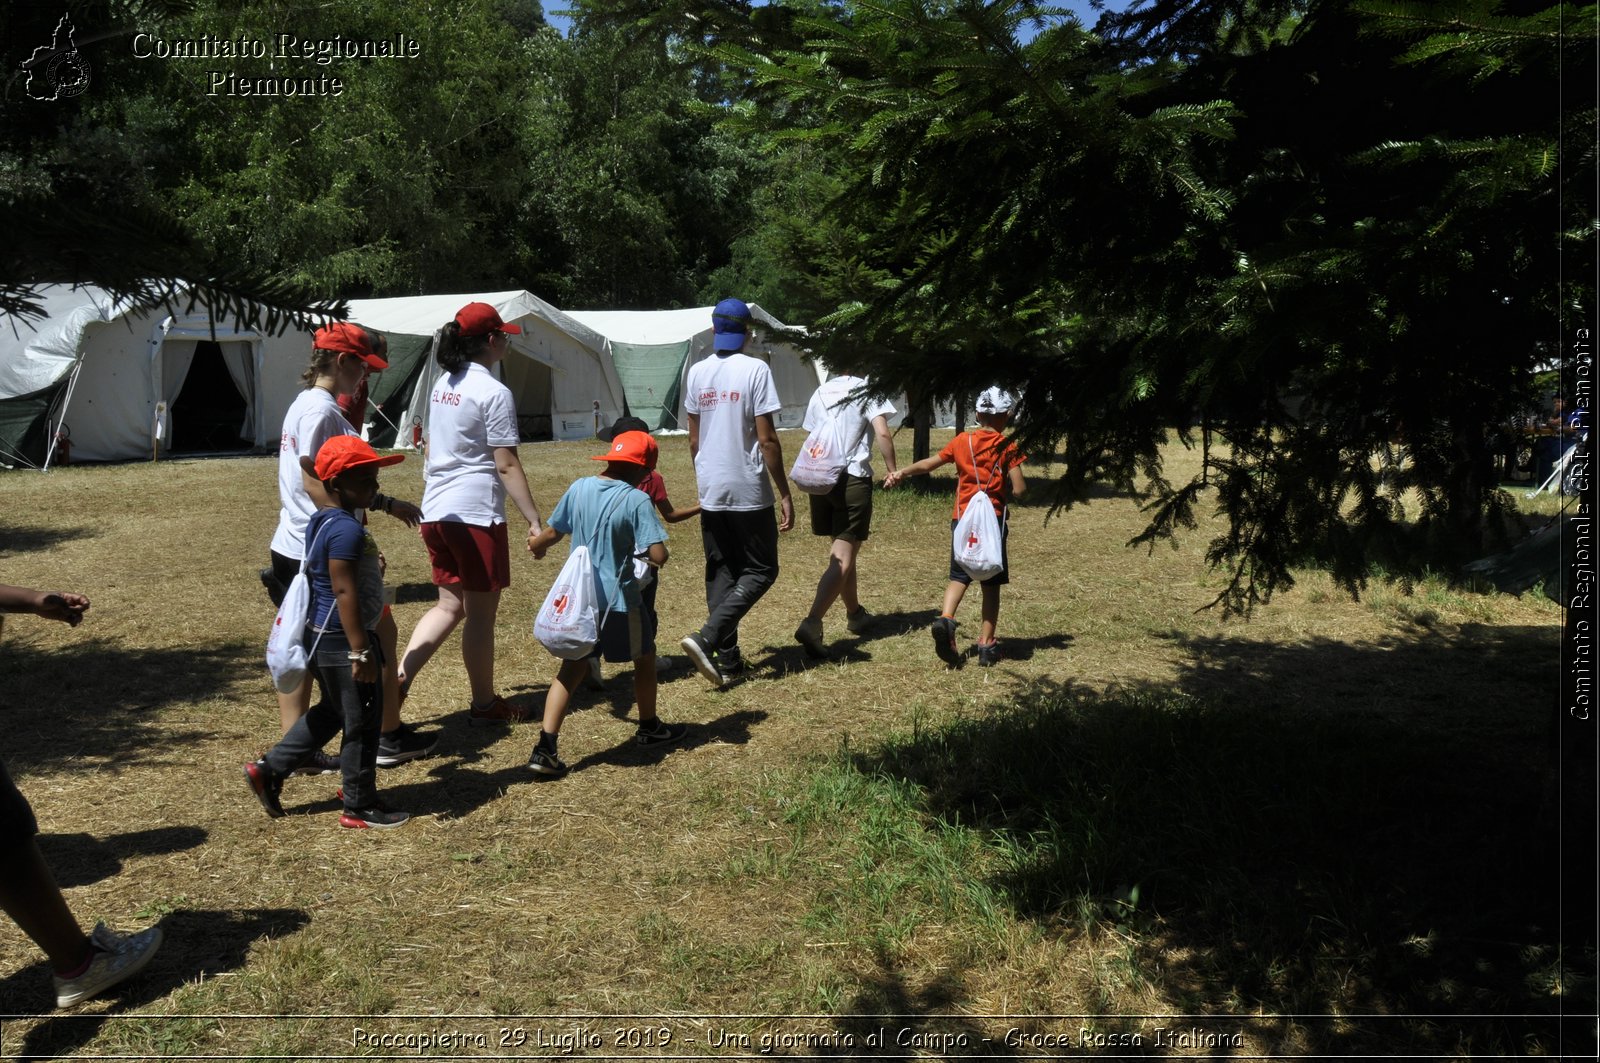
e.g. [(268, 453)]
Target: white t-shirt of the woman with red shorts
[(470, 415)]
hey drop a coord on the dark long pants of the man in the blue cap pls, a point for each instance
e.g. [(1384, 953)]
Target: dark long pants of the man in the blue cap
[(742, 564)]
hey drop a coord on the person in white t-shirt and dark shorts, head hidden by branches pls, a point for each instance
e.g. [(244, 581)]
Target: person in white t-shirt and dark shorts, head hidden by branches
[(846, 513)]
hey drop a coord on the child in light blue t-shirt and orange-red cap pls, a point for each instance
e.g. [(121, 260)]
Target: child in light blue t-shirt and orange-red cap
[(617, 523)]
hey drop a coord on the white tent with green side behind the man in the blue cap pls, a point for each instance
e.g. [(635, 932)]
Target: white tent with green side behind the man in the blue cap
[(654, 351)]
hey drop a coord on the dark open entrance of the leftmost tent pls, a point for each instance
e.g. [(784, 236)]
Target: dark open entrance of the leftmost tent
[(209, 407)]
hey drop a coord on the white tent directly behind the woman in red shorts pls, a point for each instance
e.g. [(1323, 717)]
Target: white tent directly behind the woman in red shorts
[(564, 383)]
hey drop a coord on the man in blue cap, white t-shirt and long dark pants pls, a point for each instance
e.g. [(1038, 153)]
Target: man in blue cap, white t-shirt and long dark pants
[(730, 401)]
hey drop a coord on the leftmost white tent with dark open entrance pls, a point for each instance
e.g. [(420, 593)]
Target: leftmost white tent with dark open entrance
[(124, 380)]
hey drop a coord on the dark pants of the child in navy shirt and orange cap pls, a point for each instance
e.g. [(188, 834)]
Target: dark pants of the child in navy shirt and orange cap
[(356, 710)]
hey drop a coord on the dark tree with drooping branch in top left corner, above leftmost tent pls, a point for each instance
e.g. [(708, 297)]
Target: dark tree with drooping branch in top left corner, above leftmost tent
[(76, 201)]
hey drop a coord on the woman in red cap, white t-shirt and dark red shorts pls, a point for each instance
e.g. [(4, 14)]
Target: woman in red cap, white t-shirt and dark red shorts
[(471, 470)]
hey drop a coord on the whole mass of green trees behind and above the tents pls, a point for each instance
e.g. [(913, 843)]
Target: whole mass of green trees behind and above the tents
[(1298, 233)]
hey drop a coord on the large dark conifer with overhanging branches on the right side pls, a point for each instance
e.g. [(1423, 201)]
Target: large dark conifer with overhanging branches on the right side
[(1306, 233)]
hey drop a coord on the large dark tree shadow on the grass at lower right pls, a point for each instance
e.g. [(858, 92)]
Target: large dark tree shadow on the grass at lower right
[(1353, 860)]
